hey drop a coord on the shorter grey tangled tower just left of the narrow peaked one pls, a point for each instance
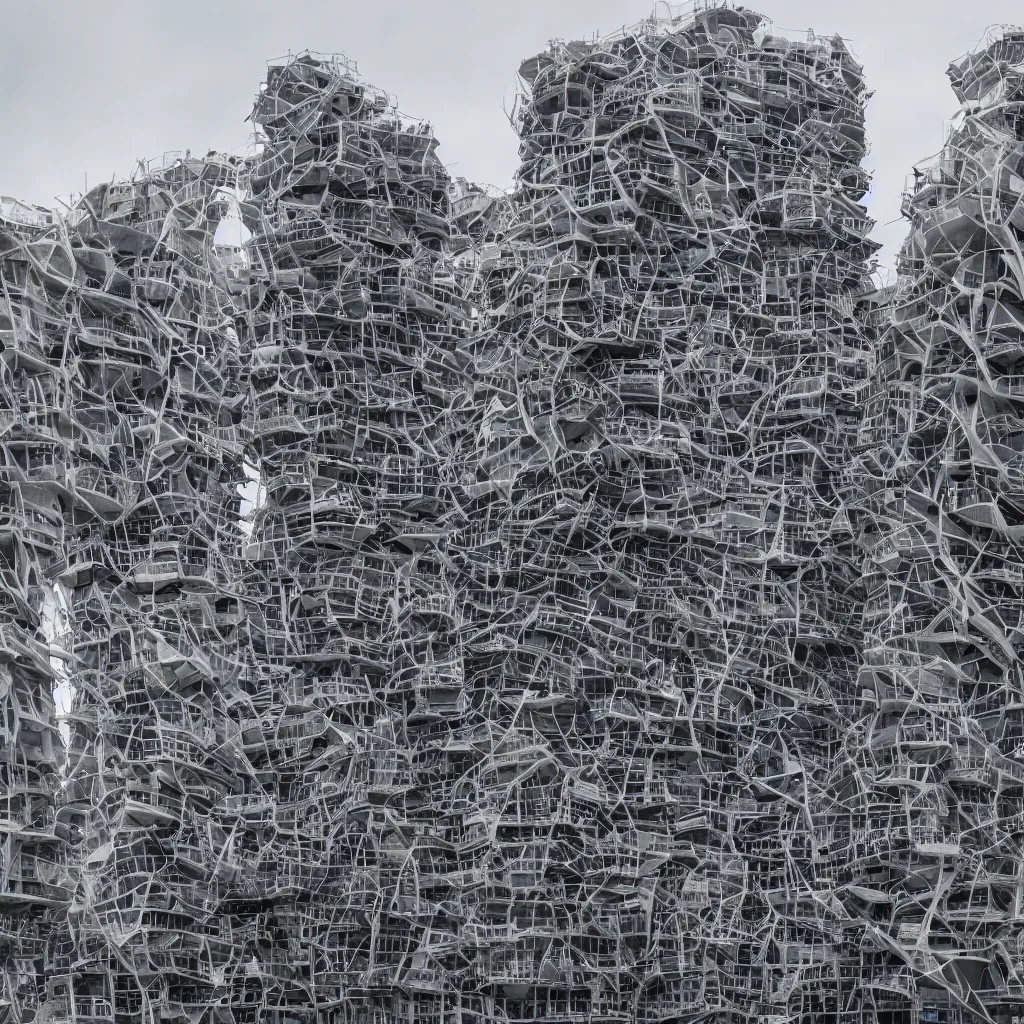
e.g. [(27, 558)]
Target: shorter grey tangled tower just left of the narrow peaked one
[(150, 407)]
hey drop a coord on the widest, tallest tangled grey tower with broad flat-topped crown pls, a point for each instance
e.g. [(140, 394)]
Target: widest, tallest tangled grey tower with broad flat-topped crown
[(671, 376)]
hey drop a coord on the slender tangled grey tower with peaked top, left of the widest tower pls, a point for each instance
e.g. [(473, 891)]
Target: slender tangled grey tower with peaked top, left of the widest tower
[(355, 711)]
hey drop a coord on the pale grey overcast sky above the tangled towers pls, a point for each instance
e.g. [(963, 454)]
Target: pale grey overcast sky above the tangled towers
[(89, 89)]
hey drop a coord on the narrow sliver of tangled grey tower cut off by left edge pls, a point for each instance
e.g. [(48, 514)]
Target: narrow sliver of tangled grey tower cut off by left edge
[(36, 276)]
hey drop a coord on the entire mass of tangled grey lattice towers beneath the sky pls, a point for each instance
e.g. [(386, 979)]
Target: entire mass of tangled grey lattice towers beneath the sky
[(625, 626)]
